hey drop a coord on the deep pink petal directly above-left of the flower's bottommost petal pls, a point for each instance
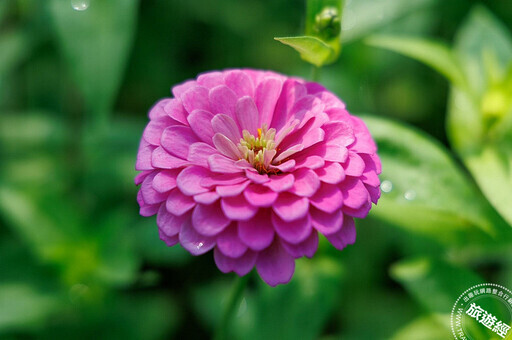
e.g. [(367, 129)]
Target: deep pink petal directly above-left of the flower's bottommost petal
[(258, 232)]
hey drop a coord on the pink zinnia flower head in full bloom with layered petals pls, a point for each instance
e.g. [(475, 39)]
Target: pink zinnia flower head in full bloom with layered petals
[(254, 165)]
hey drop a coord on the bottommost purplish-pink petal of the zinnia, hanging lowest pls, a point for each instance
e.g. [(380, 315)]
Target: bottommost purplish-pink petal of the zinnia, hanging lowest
[(275, 265)]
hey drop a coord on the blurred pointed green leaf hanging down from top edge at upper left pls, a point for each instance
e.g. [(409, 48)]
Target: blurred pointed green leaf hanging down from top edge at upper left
[(96, 43)]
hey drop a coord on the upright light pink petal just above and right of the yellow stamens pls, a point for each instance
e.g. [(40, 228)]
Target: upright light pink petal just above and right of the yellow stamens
[(266, 96)]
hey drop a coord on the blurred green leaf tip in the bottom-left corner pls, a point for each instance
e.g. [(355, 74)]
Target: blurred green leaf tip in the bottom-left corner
[(23, 306)]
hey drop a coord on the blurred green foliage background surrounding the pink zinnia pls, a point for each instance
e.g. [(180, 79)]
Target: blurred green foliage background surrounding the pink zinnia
[(76, 259)]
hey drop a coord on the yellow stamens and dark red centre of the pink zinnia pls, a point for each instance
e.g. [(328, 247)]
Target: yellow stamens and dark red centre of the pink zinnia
[(260, 150)]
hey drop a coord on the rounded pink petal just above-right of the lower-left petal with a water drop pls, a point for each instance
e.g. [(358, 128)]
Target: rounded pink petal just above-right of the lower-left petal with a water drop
[(208, 219)]
